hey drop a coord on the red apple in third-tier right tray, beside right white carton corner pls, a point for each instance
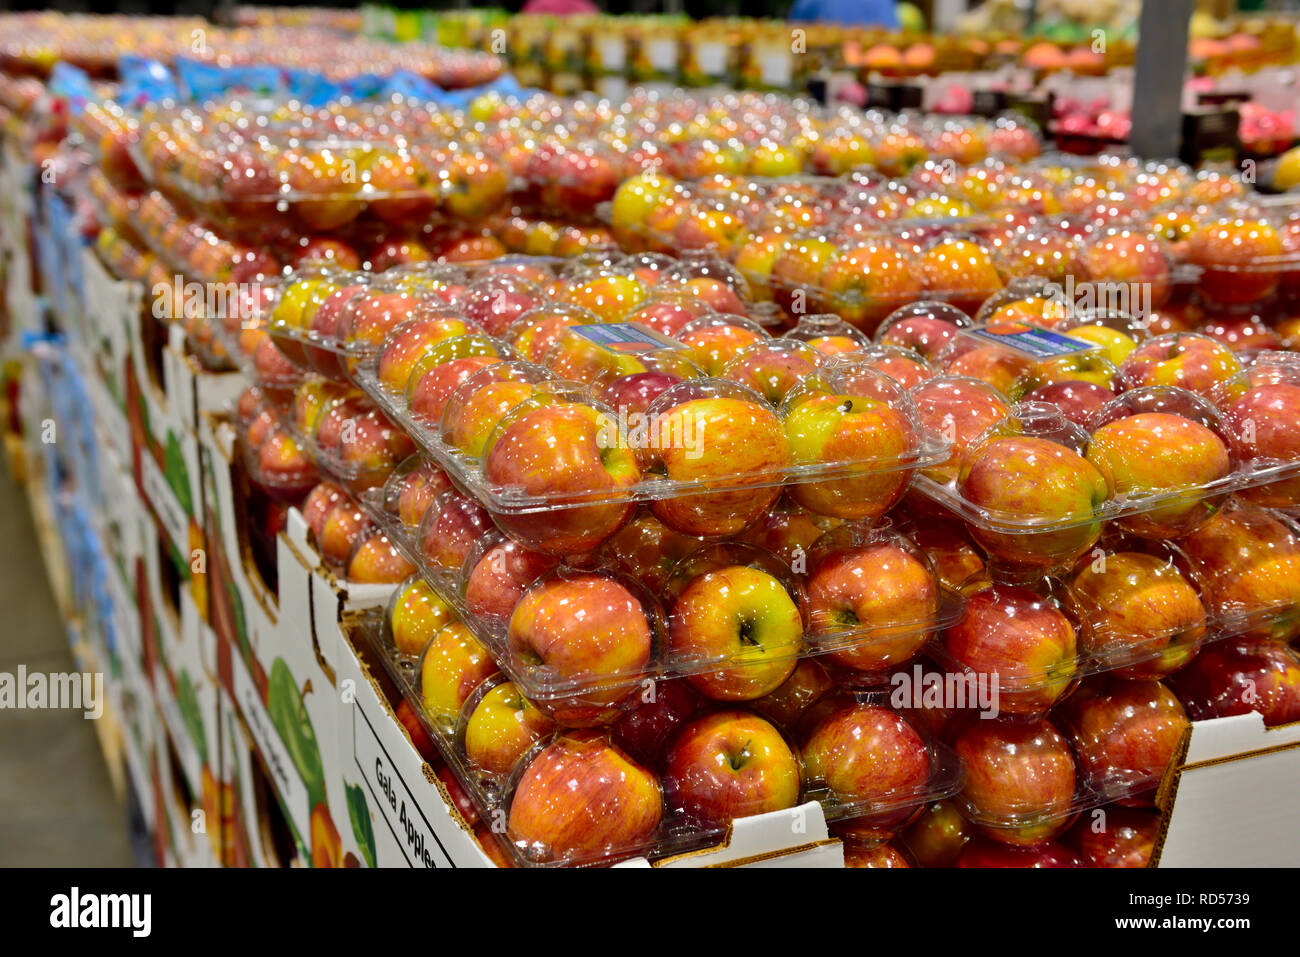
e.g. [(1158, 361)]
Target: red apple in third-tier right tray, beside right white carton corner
[(1126, 735)]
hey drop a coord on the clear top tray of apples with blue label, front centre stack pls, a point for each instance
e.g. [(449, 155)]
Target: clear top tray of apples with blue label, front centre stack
[(721, 373)]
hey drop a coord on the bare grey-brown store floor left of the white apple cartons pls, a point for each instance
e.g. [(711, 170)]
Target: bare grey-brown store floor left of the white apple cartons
[(58, 807)]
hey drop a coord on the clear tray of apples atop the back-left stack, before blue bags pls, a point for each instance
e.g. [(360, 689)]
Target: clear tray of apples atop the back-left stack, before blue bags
[(320, 170)]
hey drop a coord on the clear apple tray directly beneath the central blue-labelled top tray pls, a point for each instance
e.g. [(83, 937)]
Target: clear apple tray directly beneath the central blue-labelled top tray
[(492, 581)]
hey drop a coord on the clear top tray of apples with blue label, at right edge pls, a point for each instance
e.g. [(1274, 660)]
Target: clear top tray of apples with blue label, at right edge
[(1159, 460)]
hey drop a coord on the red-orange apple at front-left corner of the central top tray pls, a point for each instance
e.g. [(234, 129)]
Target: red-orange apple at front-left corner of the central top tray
[(562, 449)]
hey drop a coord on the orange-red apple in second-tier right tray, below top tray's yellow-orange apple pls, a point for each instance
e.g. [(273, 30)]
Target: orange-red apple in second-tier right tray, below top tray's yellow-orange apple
[(1137, 608)]
